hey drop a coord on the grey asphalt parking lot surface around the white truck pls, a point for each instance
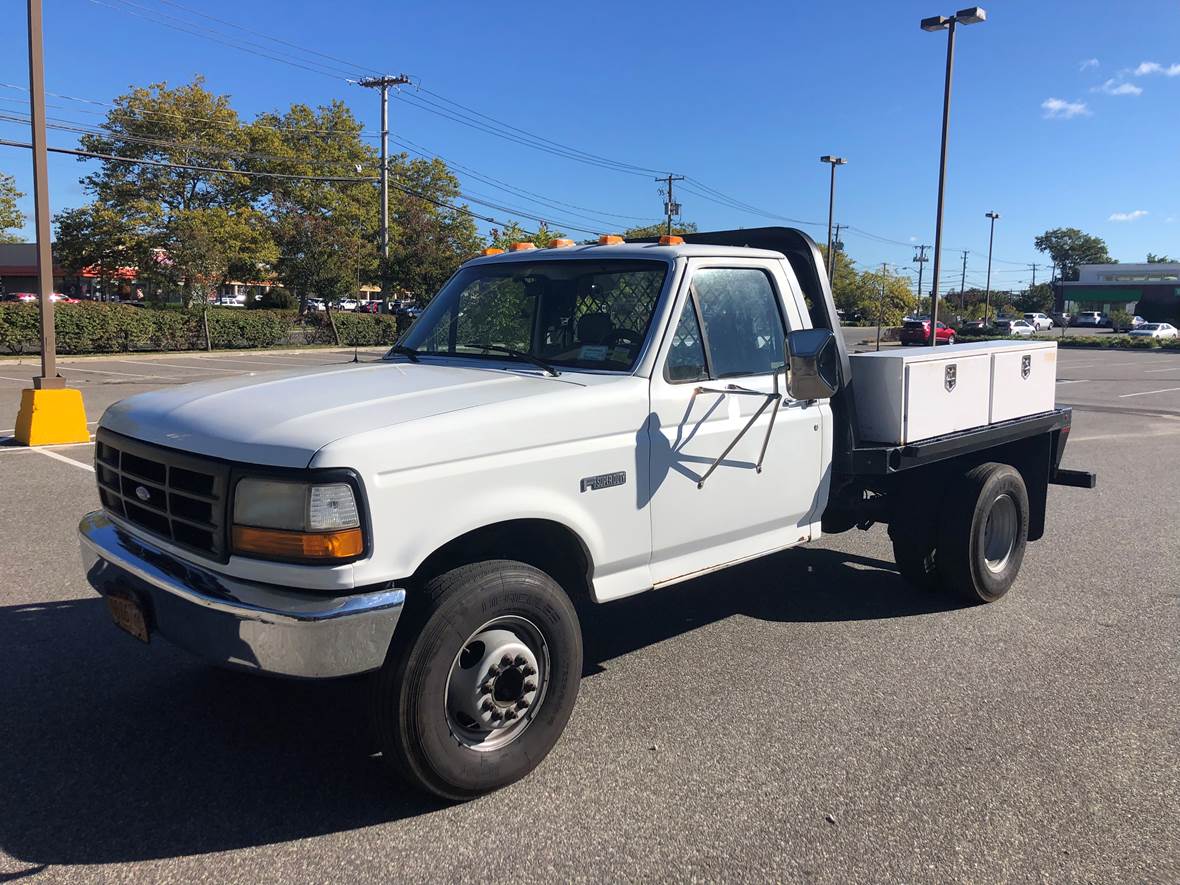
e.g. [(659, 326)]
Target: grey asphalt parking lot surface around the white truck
[(807, 718)]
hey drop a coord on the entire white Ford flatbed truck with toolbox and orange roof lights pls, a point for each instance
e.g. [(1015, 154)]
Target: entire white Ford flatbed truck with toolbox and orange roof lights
[(581, 422)]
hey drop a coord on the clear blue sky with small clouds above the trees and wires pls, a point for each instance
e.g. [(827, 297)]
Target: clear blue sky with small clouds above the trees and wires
[(1064, 114)]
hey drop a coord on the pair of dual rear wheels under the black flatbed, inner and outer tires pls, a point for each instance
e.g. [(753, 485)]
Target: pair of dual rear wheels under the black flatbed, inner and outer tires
[(978, 542)]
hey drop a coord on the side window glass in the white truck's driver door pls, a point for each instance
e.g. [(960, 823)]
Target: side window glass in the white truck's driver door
[(743, 330)]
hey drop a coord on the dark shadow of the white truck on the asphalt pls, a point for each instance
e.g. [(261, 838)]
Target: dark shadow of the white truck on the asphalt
[(116, 752)]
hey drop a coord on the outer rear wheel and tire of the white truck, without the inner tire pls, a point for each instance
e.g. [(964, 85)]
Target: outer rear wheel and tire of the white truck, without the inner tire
[(984, 533)]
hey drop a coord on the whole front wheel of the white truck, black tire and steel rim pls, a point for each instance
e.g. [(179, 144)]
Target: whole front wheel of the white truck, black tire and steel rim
[(481, 679)]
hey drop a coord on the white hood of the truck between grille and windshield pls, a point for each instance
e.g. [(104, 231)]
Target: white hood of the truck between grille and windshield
[(285, 418)]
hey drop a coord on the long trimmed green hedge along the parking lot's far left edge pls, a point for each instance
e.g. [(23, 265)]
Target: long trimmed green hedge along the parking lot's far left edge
[(120, 329)]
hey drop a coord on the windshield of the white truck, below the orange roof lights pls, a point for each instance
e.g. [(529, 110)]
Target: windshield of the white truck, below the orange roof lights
[(582, 314)]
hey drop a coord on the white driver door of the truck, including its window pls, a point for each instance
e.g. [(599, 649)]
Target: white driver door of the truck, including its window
[(724, 372)]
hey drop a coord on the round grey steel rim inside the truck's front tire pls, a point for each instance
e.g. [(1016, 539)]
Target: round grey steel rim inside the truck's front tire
[(489, 702)]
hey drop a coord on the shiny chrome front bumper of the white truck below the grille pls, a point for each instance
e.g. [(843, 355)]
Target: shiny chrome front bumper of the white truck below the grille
[(238, 624)]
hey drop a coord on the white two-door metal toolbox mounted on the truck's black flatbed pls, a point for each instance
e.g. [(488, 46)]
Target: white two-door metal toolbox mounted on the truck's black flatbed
[(909, 395)]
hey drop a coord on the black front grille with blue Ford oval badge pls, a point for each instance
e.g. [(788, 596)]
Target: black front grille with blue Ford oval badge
[(174, 495)]
